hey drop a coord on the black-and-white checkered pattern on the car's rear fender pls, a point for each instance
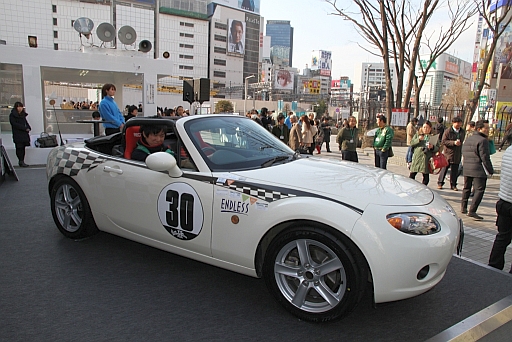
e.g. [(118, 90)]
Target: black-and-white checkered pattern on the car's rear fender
[(70, 162)]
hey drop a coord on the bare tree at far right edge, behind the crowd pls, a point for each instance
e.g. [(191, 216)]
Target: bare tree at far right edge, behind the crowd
[(497, 22)]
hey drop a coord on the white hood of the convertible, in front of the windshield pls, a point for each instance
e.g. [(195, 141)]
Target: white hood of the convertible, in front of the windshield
[(352, 183)]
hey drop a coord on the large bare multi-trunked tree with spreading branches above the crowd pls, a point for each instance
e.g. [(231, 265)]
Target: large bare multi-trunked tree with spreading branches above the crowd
[(394, 27)]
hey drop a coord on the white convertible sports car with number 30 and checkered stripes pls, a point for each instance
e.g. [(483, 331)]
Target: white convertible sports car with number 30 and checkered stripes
[(236, 197)]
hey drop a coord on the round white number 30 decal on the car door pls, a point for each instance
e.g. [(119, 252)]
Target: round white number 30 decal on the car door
[(180, 211)]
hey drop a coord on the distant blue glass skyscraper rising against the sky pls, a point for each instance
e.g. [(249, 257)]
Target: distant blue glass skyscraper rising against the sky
[(281, 44)]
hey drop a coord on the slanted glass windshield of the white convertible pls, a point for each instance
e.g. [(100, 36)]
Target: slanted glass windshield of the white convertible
[(236, 143)]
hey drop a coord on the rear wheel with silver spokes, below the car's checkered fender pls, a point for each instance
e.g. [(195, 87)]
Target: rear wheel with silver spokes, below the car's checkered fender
[(70, 210)]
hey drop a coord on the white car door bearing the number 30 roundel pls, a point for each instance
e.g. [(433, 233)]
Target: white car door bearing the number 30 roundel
[(176, 211)]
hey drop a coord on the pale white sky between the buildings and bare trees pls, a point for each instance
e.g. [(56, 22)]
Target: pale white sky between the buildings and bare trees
[(316, 29)]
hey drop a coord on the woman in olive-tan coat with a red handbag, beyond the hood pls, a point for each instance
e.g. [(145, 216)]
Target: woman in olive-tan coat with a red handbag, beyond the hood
[(423, 150)]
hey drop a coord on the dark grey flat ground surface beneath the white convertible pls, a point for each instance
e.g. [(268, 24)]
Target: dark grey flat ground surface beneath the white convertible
[(106, 288)]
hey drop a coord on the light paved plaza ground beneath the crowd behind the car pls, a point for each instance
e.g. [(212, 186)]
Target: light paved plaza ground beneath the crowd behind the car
[(479, 235)]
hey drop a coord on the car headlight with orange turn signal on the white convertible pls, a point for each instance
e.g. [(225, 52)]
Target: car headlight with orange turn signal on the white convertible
[(414, 223)]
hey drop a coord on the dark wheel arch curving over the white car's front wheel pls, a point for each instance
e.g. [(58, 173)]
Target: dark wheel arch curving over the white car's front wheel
[(283, 227)]
